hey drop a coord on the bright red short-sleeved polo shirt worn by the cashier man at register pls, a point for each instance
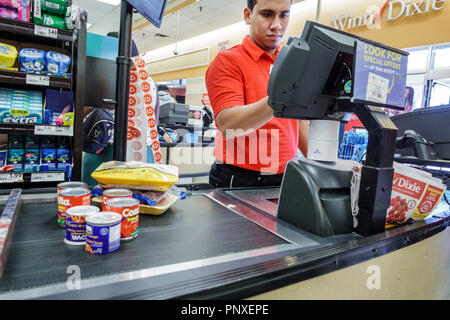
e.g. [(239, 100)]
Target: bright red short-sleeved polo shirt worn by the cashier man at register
[(240, 76)]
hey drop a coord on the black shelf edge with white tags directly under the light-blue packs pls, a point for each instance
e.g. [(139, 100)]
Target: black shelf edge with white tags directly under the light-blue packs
[(37, 129)]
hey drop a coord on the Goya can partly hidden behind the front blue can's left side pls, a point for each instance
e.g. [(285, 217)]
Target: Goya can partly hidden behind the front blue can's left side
[(76, 224)]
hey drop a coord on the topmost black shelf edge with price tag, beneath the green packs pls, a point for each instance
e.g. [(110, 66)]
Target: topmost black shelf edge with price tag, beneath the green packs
[(34, 30)]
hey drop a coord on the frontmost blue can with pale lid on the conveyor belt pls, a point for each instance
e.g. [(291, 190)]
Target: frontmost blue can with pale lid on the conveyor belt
[(103, 232)]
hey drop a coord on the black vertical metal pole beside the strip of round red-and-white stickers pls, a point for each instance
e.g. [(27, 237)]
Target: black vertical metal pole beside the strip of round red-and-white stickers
[(123, 82)]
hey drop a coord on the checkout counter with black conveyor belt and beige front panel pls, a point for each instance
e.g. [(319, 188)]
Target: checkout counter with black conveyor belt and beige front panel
[(224, 244)]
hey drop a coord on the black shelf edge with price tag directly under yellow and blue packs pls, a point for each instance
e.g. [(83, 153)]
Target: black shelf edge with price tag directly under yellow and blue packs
[(22, 78)]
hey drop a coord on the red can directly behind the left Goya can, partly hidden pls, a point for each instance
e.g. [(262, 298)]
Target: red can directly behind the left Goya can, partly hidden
[(68, 198)]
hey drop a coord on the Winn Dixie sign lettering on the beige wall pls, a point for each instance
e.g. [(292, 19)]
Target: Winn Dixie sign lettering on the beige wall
[(395, 9)]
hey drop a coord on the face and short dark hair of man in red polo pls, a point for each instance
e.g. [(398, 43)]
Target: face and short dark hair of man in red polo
[(268, 22)]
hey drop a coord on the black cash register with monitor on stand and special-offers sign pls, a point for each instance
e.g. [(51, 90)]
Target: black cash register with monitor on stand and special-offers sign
[(323, 76)]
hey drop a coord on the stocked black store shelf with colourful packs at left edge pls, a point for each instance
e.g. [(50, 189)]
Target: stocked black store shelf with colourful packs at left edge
[(39, 100)]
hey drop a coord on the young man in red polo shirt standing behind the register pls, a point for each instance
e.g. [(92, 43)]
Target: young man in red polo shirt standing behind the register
[(252, 147)]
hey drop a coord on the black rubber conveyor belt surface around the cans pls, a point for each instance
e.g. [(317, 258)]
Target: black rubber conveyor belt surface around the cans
[(194, 228)]
